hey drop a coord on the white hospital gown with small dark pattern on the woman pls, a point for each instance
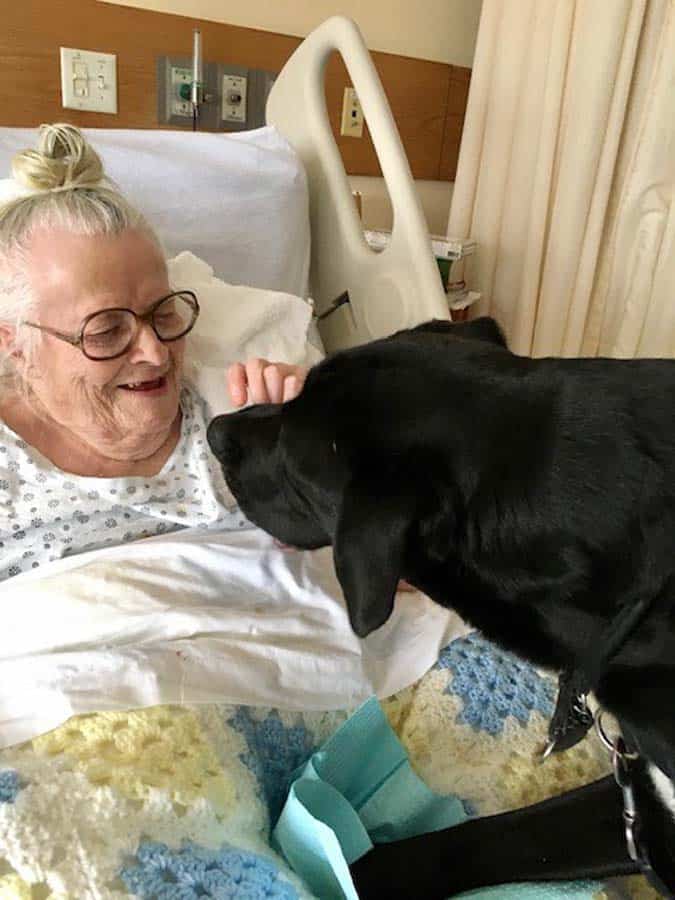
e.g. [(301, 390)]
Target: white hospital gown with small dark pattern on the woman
[(46, 513)]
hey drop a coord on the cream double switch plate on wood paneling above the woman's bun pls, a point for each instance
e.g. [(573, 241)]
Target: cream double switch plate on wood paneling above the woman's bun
[(88, 80)]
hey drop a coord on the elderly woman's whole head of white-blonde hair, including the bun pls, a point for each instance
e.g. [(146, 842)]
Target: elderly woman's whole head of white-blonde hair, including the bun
[(60, 185)]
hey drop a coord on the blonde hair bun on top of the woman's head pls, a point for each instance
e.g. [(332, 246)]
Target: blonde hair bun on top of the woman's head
[(64, 159)]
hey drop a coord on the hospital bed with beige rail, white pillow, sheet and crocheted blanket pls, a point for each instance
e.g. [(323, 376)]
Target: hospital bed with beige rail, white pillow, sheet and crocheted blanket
[(156, 698)]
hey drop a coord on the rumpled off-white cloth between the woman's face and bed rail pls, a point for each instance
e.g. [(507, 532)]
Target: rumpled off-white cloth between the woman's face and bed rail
[(237, 323)]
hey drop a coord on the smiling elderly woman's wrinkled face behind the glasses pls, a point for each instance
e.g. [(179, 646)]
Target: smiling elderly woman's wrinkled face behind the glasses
[(105, 403)]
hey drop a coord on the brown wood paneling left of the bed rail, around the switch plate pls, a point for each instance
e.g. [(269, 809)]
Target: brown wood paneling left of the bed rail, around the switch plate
[(33, 31)]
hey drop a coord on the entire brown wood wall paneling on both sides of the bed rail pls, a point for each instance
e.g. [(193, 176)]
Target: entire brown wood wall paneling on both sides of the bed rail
[(428, 99)]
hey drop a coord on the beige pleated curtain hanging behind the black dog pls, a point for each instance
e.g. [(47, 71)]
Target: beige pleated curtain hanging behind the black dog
[(566, 175)]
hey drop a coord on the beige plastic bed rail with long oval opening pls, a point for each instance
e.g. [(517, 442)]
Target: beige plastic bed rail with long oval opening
[(398, 287)]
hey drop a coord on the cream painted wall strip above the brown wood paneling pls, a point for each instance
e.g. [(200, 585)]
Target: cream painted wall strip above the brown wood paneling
[(440, 30)]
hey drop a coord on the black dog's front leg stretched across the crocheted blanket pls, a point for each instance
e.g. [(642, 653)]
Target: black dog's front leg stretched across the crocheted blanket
[(579, 834)]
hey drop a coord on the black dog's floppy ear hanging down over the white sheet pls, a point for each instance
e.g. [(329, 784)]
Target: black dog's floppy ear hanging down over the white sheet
[(368, 549)]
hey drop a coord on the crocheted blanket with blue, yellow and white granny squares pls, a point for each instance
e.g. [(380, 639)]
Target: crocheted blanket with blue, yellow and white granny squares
[(177, 802)]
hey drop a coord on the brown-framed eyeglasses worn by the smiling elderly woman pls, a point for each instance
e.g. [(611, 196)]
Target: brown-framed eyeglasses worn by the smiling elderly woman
[(108, 333)]
